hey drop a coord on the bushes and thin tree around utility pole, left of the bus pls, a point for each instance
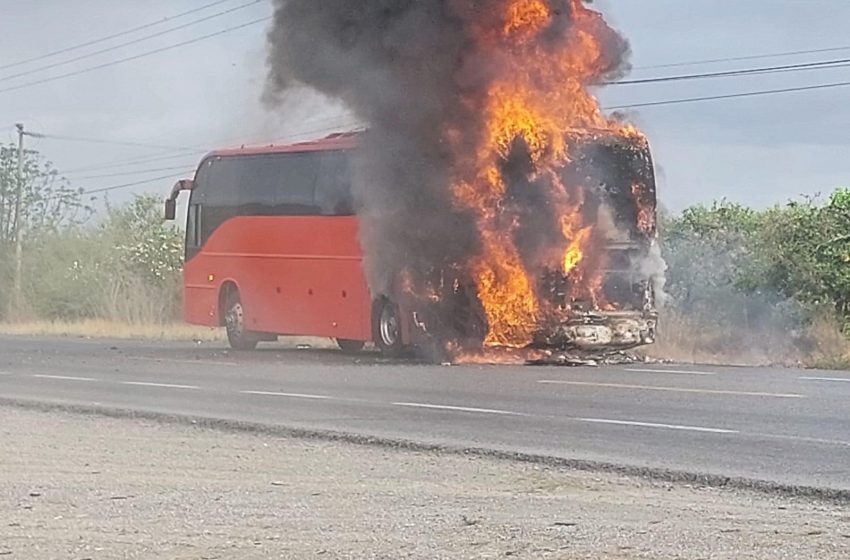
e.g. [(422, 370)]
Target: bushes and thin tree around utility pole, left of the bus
[(120, 267)]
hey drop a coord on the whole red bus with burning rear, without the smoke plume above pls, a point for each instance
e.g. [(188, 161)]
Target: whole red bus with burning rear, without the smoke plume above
[(273, 247)]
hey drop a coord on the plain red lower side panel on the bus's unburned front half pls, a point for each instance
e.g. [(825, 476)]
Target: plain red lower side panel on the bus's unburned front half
[(299, 275)]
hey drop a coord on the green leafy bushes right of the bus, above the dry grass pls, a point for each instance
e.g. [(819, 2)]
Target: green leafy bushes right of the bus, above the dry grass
[(775, 270)]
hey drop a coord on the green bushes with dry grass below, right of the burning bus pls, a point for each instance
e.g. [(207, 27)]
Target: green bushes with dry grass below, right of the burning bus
[(759, 286)]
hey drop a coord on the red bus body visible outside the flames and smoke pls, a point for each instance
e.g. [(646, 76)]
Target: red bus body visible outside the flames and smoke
[(272, 248)]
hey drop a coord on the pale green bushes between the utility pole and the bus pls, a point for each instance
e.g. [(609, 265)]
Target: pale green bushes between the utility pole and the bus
[(127, 269)]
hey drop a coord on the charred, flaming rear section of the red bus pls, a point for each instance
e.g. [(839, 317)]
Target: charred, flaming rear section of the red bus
[(566, 259)]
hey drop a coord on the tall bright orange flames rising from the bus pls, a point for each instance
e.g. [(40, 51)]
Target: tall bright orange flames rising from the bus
[(539, 99)]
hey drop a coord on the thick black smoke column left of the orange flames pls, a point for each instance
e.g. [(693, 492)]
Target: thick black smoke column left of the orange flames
[(394, 64)]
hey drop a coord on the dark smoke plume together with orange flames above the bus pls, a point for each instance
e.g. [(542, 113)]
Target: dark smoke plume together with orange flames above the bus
[(441, 82)]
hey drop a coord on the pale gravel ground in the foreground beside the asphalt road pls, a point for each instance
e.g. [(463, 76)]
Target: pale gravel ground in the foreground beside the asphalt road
[(77, 487)]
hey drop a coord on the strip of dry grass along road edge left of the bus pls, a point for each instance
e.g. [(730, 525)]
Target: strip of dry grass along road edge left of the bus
[(100, 328)]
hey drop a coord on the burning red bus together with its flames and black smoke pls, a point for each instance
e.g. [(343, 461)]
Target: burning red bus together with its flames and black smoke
[(491, 205)]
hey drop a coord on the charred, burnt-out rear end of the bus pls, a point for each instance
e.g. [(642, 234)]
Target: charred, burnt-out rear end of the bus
[(615, 175)]
